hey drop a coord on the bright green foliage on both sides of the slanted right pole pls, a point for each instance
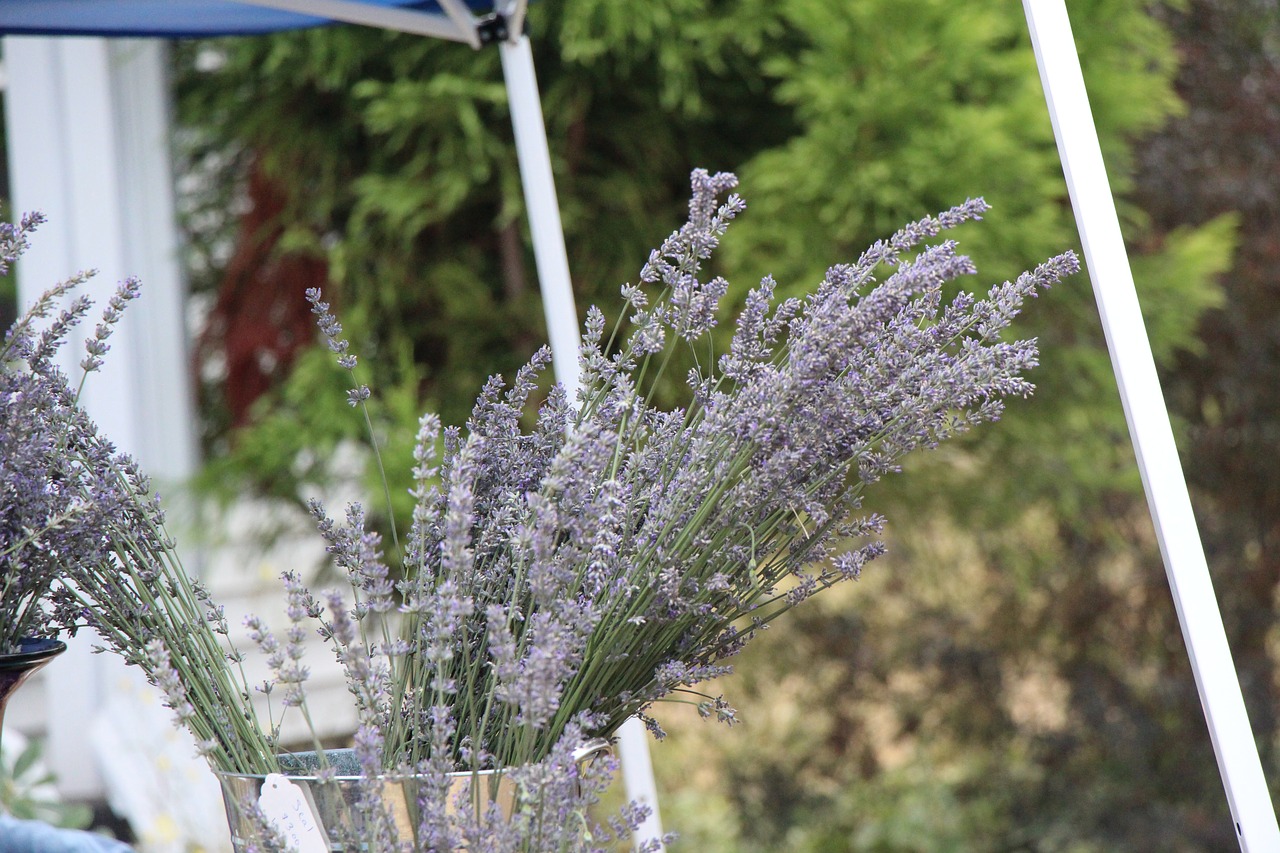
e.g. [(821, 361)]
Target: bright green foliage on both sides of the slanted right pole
[(944, 103)]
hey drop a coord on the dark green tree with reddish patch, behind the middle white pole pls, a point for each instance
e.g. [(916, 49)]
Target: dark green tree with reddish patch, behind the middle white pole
[(386, 163)]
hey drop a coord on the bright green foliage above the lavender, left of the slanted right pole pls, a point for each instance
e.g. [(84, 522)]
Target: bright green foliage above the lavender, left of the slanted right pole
[(903, 108)]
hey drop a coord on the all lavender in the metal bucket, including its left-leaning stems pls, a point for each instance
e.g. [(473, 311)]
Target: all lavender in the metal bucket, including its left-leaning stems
[(561, 580)]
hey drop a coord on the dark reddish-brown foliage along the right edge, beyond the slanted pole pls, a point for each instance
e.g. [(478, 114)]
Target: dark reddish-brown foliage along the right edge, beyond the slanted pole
[(1222, 159)]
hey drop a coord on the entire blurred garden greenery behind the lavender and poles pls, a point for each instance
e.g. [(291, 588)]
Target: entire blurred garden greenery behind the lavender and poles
[(1012, 676)]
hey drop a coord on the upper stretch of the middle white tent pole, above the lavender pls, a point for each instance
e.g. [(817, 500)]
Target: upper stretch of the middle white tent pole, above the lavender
[(545, 222)]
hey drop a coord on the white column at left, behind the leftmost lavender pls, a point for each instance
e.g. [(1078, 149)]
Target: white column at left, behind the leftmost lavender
[(89, 145)]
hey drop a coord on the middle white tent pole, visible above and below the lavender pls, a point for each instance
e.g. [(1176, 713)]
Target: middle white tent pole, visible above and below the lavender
[(563, 330)]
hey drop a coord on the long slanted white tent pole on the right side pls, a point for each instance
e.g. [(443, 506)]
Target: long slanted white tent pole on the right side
[(1150, 430)]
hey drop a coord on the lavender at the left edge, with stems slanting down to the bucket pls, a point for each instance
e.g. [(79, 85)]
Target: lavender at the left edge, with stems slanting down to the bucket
[(83, 540)]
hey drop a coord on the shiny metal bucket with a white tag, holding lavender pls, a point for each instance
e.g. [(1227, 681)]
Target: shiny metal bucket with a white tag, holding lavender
[(332, 804)]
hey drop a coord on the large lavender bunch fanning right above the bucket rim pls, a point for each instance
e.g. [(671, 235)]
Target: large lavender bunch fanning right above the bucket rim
[(619, 554)]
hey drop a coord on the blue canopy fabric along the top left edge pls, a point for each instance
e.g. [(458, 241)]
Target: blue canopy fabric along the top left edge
[(177, 19)]
